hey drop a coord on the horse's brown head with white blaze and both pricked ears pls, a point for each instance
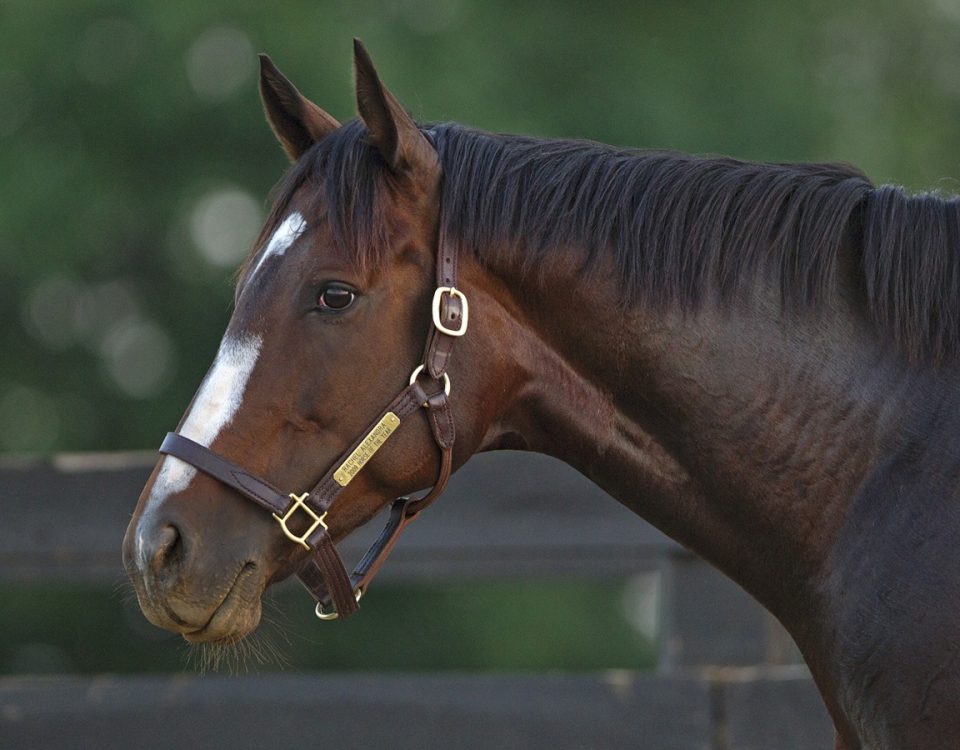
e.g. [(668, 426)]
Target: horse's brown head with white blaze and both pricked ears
[(333, 307)]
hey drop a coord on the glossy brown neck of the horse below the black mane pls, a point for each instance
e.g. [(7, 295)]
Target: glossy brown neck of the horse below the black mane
[(740, 432)]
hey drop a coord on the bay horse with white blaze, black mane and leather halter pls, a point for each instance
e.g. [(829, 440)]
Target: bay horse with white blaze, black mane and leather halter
[(758, 359)]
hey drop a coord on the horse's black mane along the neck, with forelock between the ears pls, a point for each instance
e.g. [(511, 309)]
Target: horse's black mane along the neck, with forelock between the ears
[(676, 227)]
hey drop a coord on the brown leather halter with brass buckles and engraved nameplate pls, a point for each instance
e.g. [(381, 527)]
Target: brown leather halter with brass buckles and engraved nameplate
[(323, 573)]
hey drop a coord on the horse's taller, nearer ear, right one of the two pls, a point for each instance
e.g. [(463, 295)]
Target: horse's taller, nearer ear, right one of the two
[(391, 129)]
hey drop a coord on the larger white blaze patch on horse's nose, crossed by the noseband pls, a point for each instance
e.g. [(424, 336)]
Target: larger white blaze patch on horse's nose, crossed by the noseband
[(214, 407)]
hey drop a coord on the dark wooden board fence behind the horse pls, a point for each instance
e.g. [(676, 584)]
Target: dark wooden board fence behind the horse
[(729, 678)]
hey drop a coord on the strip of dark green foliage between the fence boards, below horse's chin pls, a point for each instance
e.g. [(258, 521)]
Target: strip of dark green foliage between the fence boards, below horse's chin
[(477, 626)]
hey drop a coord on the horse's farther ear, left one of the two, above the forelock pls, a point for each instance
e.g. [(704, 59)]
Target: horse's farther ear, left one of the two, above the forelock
[(297, 122)]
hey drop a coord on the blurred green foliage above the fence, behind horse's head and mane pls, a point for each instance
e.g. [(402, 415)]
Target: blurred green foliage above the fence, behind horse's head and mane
[(135, 163)]
